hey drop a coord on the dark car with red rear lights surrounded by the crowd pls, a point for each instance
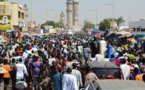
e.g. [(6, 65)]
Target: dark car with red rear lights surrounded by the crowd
[(105, 69)]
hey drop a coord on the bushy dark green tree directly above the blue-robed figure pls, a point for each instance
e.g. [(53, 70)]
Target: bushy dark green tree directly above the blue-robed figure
[(105, 24)]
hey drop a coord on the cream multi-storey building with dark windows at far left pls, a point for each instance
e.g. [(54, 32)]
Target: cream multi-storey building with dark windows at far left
[(17, 15)]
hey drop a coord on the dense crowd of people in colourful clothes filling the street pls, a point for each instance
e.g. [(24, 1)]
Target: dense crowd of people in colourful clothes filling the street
[(58, 62)]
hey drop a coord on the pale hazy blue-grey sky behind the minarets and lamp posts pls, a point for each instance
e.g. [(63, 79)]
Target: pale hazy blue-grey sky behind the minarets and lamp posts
[(131, 10)]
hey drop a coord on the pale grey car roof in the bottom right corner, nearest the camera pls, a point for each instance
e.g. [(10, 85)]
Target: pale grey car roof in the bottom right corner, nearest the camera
[(115, 85)]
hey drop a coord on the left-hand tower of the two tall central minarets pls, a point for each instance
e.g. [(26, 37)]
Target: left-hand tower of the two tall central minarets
[(69, 14)]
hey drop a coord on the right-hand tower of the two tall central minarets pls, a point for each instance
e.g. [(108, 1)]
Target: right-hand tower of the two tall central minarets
[(75, 12)]
